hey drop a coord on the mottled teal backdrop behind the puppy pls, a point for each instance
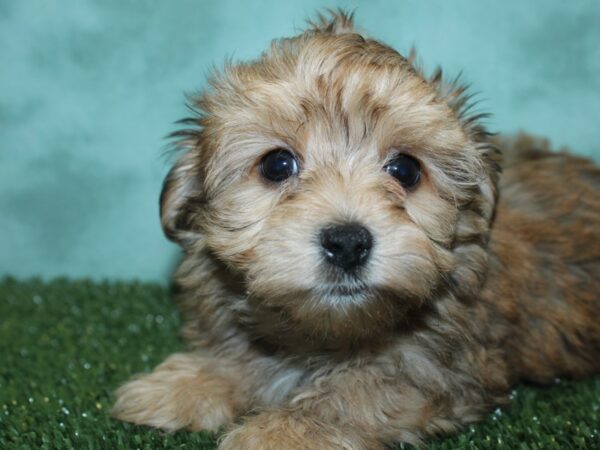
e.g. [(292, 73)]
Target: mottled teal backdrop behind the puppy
[(89, 89)]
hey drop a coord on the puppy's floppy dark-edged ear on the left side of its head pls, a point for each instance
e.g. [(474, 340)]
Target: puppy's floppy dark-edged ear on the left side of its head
[(181, 200)]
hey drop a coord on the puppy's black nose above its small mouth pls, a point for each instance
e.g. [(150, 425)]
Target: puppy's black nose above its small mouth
[(346, 246)]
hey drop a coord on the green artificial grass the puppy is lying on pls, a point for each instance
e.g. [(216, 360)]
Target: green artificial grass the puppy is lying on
[(66, 345)]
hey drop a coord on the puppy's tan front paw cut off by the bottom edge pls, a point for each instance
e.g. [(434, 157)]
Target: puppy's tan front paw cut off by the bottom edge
[(283, 430)]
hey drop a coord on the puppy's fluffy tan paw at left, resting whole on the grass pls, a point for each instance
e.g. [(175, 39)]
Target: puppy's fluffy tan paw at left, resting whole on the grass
[(182, 392)]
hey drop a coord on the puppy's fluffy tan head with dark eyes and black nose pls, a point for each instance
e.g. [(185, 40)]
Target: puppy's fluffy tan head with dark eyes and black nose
[(343, 187)]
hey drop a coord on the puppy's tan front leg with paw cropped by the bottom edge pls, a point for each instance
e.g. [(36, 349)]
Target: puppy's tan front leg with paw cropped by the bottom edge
[(358, 409)]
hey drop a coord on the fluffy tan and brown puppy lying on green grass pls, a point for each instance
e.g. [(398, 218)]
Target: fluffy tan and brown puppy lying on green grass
[(357, 270)]
